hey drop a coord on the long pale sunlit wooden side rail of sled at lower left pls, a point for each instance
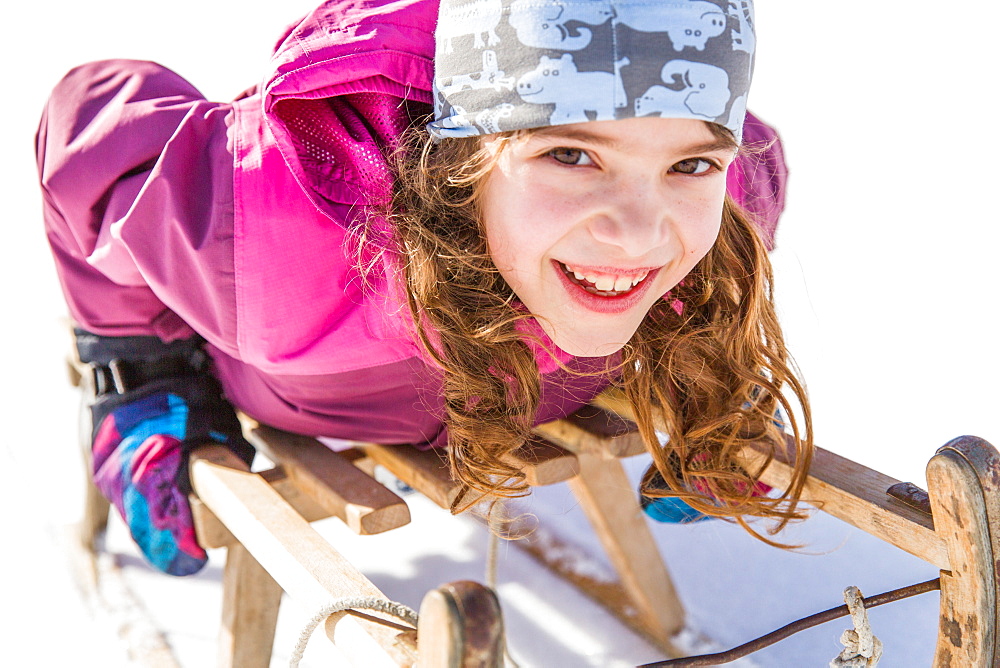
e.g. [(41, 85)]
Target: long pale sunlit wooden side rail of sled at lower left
[(299, 559)]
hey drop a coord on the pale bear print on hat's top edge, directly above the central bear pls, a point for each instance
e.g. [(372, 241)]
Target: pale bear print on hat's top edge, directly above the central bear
[(544, 26)]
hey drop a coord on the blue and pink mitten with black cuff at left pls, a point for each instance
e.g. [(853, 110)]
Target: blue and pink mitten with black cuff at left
[(144, 429)]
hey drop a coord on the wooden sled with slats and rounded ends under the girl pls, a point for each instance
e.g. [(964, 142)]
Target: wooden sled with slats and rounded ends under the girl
[(263, 520)]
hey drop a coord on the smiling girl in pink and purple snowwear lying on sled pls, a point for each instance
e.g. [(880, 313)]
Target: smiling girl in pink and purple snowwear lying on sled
[(337, 257)]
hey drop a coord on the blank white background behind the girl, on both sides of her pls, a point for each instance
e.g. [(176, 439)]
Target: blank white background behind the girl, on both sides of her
[(886, 270)]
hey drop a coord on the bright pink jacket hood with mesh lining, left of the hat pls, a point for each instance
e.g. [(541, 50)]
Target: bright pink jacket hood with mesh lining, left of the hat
[(340, 90)]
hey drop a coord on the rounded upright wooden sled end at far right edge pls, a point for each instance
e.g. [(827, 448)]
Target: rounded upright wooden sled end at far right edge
[(964, 486)]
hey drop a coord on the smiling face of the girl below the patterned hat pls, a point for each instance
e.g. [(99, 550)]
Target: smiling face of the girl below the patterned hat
[(591, 223)]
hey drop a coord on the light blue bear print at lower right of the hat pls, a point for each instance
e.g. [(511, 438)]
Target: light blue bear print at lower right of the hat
[(696, 88)]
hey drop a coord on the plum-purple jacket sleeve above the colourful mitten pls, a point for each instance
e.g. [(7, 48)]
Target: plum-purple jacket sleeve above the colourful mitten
[(142, 236)]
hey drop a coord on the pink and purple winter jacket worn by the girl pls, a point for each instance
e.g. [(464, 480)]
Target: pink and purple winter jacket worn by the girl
[(171, 215)]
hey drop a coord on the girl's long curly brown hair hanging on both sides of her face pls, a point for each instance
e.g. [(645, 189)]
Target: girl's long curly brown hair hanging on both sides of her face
[(710, 376)]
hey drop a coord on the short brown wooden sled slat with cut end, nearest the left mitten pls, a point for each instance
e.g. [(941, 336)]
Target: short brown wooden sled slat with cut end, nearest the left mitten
[(332, 480)]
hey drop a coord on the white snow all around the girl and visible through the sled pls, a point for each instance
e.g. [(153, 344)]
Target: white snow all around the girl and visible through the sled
[(885, 281)]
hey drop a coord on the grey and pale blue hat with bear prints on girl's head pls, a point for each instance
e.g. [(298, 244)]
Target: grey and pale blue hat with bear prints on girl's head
[(518, 64)]
